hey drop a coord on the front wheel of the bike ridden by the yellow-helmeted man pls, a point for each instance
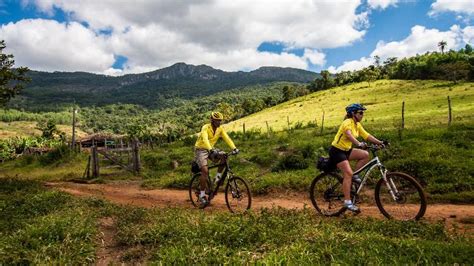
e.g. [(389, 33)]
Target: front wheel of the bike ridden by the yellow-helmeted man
[(237, 195)]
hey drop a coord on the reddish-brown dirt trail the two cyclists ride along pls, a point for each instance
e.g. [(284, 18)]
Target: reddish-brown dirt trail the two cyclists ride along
[(131, 193)]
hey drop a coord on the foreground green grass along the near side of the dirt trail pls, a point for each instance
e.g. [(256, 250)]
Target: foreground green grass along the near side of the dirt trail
[(42, 226)]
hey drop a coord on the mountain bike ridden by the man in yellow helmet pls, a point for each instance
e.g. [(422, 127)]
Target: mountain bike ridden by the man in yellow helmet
[(237, 192)]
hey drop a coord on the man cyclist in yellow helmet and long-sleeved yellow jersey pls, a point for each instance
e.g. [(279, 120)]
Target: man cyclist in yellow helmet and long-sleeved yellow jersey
[(204, 149)]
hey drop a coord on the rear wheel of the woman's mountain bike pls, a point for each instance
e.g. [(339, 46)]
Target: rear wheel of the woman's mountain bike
[(326, 194)]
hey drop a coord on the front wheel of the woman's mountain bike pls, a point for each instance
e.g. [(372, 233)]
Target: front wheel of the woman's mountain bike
[(408, 201)]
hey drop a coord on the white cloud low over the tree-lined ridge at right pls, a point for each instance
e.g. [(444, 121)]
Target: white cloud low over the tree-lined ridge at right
[(420, 41)]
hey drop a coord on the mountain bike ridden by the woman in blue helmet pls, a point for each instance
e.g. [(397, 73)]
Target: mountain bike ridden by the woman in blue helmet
[(397, 195)]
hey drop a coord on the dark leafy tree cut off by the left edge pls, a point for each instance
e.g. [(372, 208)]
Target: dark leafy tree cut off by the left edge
[(11, 80)]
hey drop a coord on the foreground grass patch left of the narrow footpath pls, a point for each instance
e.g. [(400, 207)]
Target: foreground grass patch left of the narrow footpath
[(39, 226)]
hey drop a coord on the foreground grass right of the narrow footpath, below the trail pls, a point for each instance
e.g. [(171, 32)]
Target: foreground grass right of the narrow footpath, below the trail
[(276, 236)]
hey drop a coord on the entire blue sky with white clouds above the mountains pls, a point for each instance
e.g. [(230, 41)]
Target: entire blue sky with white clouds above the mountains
[(102, 36)]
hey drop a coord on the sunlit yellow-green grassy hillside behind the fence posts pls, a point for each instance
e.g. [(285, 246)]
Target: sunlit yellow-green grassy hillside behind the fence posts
[(425, 102)]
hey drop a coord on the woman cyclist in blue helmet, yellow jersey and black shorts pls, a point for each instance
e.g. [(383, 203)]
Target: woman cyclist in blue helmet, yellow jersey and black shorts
[(341, 151)]
